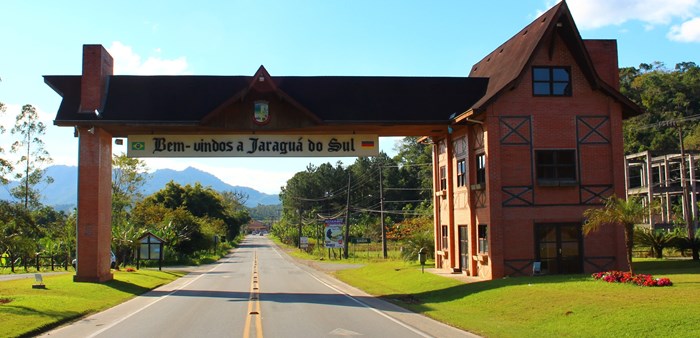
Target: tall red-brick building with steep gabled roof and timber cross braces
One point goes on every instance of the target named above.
(516, 170)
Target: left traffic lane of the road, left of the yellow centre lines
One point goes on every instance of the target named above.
(211, 302)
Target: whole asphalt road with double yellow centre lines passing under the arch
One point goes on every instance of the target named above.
(258, 291)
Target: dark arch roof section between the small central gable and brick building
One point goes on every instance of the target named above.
(383, 98)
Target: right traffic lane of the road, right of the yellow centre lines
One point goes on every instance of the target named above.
(295, 303)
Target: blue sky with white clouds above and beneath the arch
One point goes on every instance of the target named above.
(323, 37)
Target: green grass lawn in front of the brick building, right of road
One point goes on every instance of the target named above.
(544, 306)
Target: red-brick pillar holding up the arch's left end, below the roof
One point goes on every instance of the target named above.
(94, 205)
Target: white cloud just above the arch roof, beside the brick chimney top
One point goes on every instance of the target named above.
(128, 62)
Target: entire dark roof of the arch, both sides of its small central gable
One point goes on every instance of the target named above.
(188, 99)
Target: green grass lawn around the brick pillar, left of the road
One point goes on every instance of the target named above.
(25, 311)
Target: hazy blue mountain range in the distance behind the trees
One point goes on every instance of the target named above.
(62, 194)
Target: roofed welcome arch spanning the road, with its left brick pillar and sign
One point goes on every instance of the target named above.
(151, 111)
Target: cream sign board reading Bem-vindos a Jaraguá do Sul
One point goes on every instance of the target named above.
(252, 145)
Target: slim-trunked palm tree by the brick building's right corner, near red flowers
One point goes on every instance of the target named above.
(617, 212)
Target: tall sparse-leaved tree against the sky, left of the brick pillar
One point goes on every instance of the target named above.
(33, 156)
